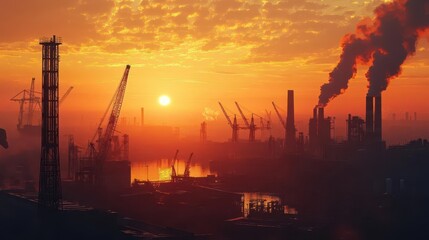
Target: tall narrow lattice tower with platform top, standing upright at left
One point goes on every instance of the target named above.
(50, 194)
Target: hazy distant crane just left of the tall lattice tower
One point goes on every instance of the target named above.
(27, 124)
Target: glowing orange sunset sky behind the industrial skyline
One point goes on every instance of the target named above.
(198, 52)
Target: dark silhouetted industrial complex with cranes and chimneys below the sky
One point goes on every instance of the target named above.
(319, 187)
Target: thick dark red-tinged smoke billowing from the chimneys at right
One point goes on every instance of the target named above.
(384, 42)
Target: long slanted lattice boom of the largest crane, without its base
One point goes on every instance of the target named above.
(105, 138)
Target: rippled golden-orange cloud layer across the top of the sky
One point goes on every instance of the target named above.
(273, 30)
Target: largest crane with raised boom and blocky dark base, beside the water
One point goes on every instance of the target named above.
(106, 161)
